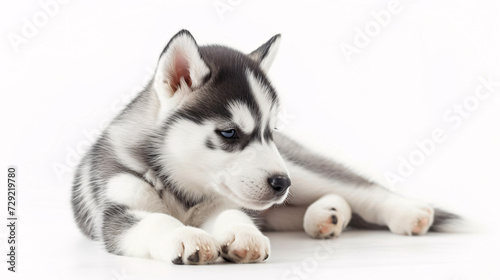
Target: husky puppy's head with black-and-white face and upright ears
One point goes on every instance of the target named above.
(218, 112)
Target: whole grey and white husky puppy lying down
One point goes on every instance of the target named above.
(186, 170)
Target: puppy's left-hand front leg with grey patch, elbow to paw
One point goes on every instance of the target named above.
(131, 228)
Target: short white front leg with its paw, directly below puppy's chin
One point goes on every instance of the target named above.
(240, 240)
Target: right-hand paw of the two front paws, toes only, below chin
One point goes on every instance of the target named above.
(244, 244)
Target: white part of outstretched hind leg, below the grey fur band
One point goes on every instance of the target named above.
(375, 206)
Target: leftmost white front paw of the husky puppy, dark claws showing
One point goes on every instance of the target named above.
(194, 246)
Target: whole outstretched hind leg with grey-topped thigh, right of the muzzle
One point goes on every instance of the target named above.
(314, 176)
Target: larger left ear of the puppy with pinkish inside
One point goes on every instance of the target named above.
(180, 67)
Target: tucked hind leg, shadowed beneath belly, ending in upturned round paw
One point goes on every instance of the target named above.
(325, 218)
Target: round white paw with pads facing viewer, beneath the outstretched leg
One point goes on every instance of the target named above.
(324, 222)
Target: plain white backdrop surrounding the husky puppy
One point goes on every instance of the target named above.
(80, 64)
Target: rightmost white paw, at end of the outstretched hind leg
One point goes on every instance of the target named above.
(411, 218)
